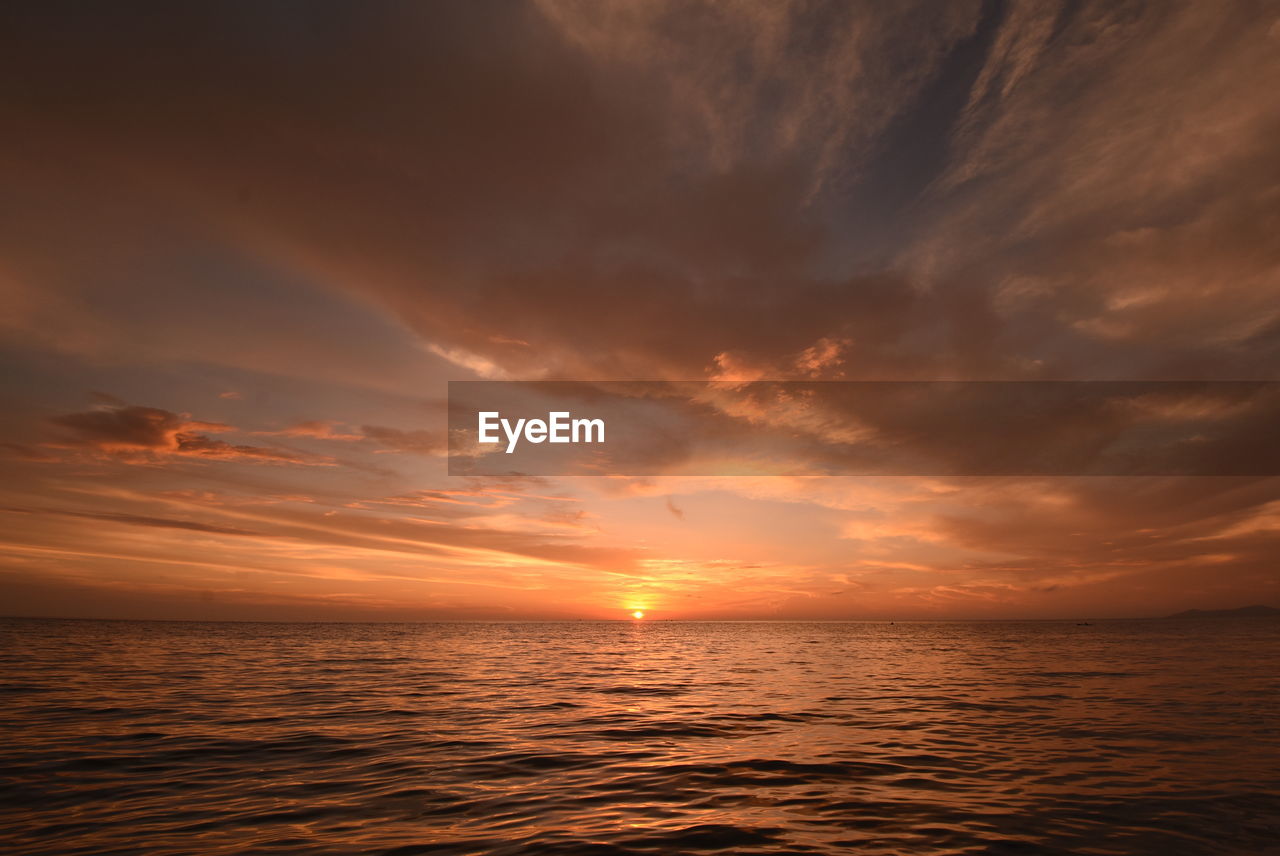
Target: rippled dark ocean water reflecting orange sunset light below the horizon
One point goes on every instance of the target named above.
(646, 738)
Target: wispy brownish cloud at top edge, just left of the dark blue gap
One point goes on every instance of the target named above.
(748, 81)
